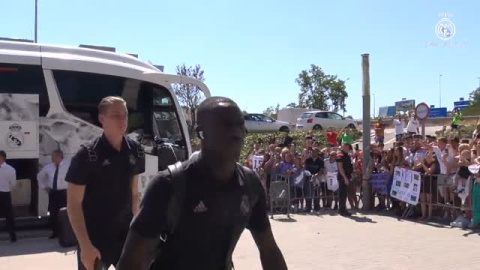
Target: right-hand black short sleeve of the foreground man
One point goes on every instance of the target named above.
(259, 221)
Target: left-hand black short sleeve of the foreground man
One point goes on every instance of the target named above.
(151, 220)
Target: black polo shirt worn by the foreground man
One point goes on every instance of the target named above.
(213, 218)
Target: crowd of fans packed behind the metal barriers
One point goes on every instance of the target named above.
(449, 190)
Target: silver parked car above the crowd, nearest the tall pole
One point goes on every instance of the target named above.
(318, 120)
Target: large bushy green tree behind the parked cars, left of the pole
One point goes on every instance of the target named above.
(321, 91)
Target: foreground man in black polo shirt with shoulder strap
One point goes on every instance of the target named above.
(221, 199)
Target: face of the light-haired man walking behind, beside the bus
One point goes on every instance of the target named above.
(115, 120)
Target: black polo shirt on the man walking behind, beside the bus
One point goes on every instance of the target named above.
(107, 177)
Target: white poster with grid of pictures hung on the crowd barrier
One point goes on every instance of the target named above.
(406, 185)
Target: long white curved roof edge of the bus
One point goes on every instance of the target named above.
(25, 49)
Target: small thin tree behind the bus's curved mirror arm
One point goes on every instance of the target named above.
(190, 96)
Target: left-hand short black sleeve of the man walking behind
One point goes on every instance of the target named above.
(79, 172)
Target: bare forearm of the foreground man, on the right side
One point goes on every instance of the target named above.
(270, 255)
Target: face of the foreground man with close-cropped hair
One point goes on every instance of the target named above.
(224, 132)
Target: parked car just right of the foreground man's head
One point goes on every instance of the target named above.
(262, 123)
